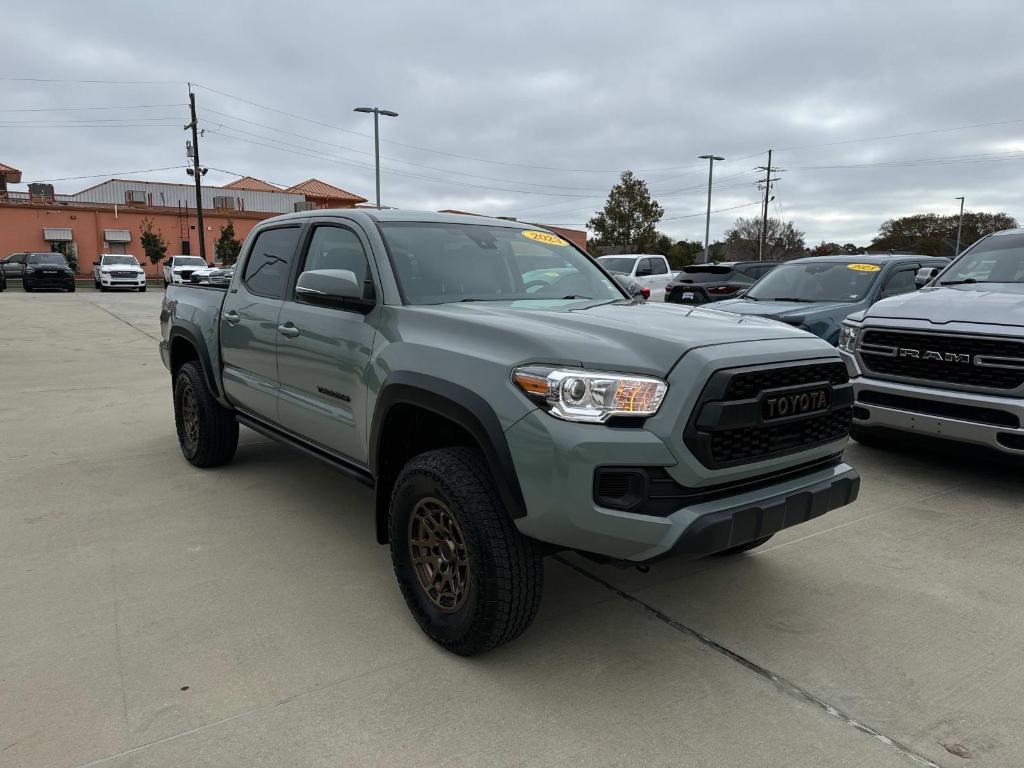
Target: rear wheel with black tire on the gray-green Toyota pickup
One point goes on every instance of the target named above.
(208, 433)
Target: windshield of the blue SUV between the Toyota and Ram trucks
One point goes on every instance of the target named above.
(822, 281)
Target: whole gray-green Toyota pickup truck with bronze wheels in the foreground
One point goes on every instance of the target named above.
(506, 400)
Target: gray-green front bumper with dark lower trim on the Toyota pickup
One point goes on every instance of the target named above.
(557, 461)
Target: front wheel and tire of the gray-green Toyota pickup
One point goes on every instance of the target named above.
(471, 579)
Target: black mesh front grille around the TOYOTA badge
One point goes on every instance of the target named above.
(729, 428)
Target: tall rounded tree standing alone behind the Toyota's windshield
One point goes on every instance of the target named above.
(630, 217)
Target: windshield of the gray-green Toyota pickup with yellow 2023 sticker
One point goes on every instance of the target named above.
(442, 264)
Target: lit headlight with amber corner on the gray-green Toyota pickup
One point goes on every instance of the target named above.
(591, 397)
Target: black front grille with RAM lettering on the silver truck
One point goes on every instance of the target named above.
(891, 363)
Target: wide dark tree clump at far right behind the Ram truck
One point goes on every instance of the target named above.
(934, 235)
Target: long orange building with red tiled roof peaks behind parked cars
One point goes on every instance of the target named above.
(110, 218)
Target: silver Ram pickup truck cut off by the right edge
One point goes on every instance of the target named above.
(948, 361)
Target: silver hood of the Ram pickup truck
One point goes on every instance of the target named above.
(969, 304)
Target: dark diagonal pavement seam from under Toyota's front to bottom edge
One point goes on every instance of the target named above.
(782, 684)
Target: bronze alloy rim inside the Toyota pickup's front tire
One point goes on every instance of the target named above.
(438, 549)
